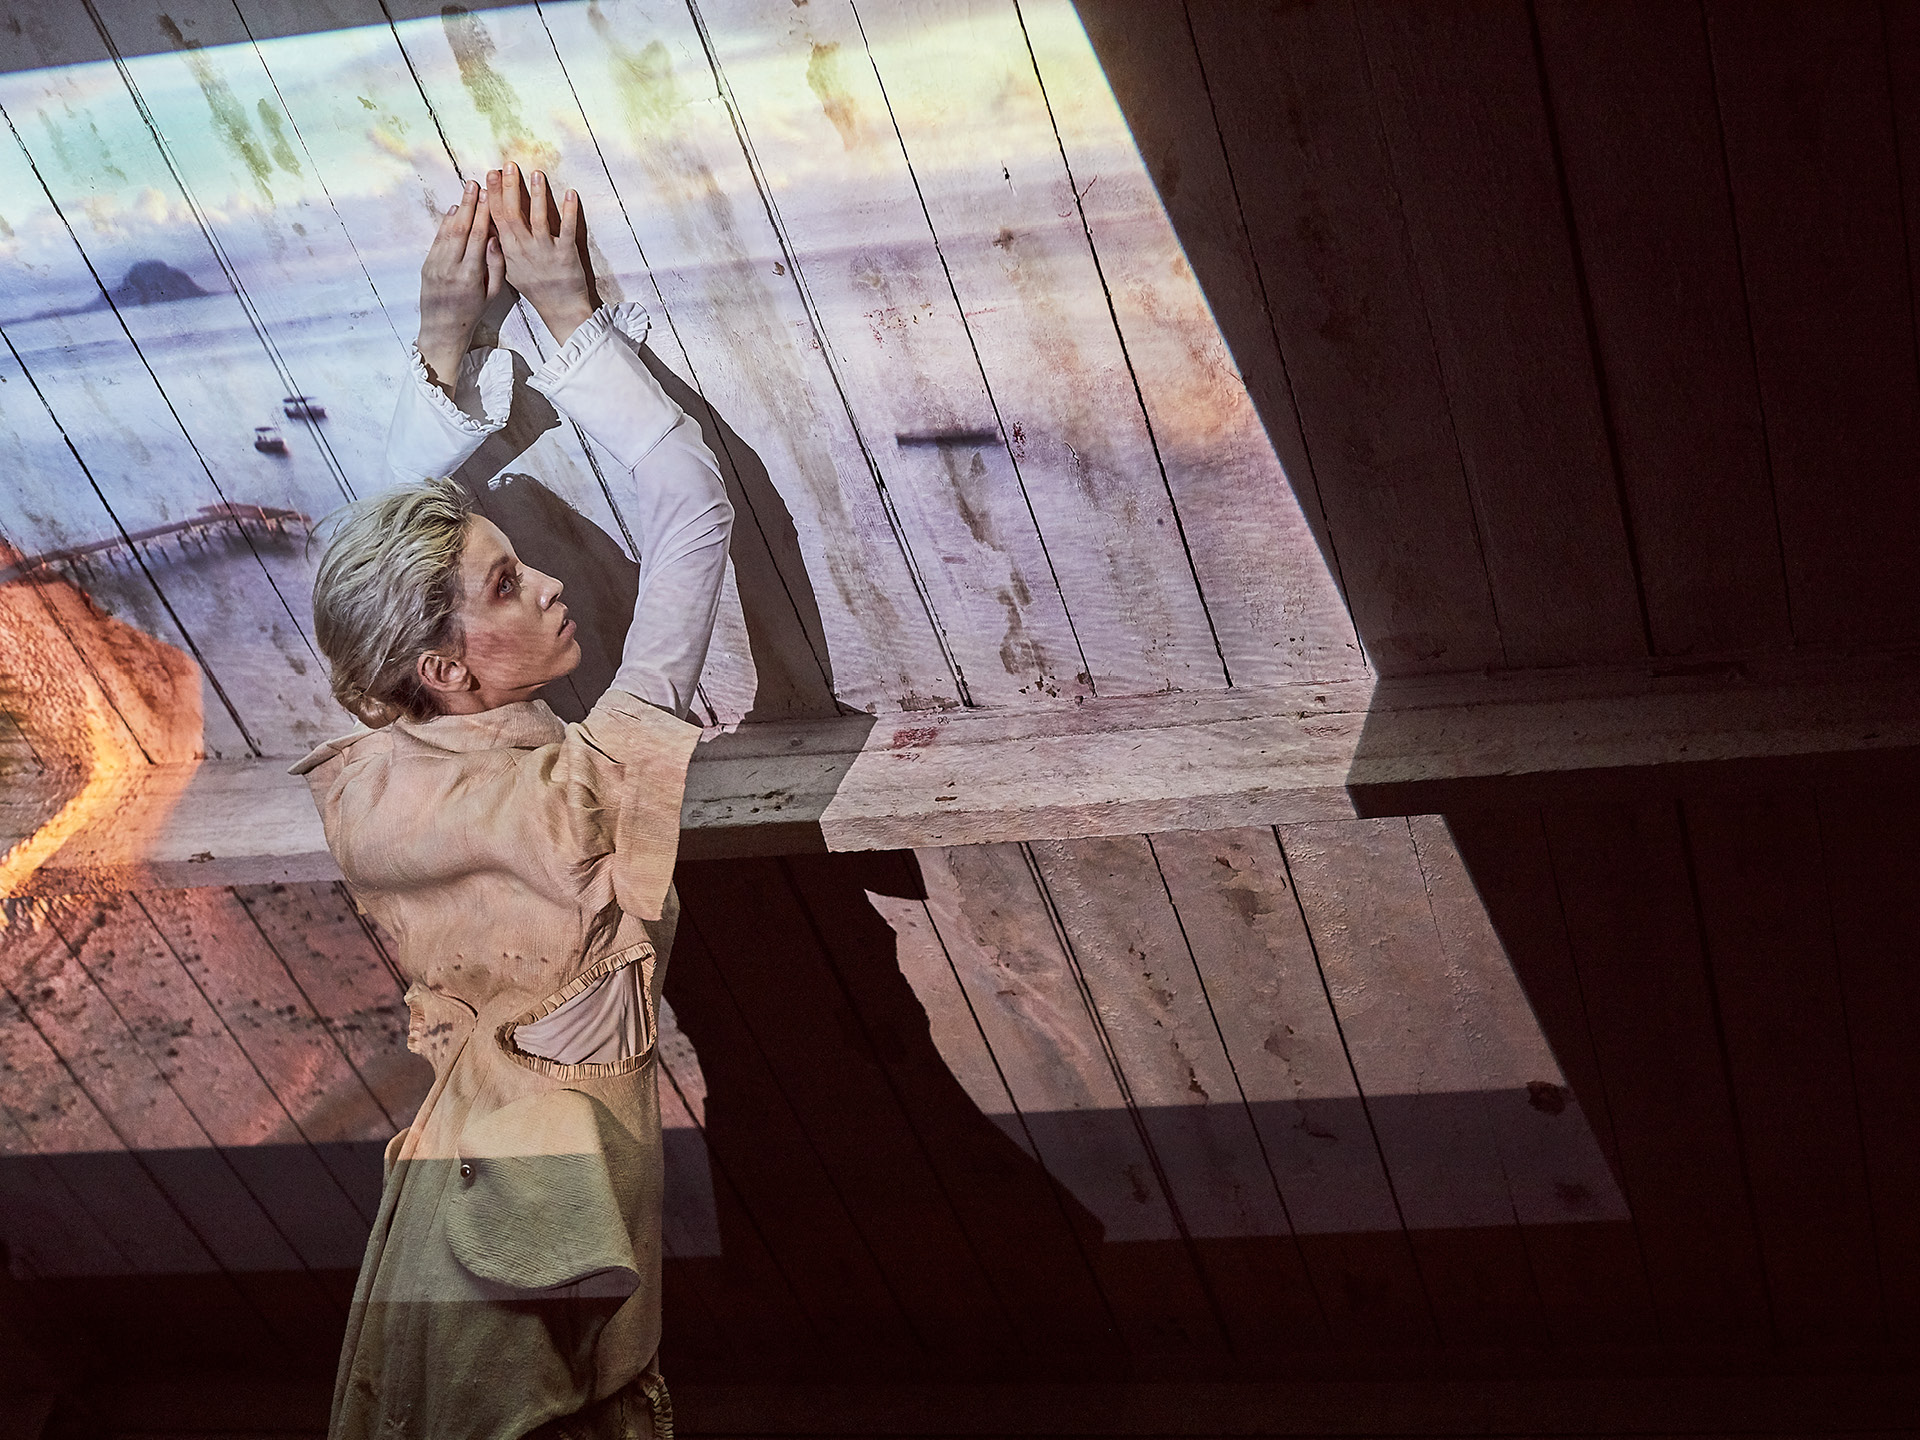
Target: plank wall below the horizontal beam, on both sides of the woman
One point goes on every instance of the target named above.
(1222, 1103)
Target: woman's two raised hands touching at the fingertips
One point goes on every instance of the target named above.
(500, 237)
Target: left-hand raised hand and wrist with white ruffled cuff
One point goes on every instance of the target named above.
(454, 398)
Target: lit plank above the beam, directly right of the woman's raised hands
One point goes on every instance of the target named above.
(734, 299)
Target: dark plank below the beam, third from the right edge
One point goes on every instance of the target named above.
(1631, 924)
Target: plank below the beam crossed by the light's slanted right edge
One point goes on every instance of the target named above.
(1491, 880)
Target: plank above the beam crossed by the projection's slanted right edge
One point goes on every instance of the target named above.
(1228, 381)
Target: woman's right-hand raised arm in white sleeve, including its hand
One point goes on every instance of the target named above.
(598, 379)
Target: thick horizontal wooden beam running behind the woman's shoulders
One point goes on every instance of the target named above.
(1128, 767)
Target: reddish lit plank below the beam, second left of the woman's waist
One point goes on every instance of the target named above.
(276, 1024)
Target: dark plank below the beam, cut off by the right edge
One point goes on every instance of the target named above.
(1871, 848)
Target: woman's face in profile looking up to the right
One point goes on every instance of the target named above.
(517, 633)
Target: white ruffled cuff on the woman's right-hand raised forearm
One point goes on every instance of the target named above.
(600, 381)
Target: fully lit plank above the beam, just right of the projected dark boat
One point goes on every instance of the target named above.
(971, 116)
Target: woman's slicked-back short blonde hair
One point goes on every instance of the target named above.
(389, 592)
